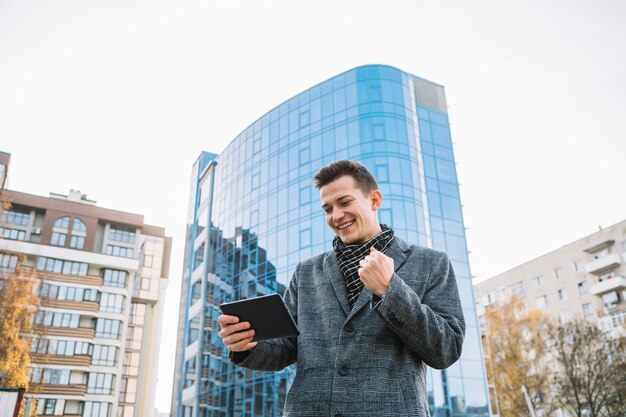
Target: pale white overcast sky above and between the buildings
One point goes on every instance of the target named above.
(118, 98)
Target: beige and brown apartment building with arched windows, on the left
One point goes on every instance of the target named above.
(101, 277)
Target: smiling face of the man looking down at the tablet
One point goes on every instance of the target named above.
(349, 212)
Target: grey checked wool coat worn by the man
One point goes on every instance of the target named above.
(369, 360)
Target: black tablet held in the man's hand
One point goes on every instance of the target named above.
(267, 314)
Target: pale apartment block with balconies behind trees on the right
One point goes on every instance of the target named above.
(582, 279)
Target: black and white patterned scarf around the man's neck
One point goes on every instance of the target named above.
(349, 256)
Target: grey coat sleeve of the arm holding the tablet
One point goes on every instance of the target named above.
(274, 354)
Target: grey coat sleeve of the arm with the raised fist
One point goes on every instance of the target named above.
(433, 326)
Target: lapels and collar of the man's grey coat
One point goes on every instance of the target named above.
(398, 250)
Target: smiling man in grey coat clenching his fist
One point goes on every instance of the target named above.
(372, 313)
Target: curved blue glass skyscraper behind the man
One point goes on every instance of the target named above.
(254, 214)
